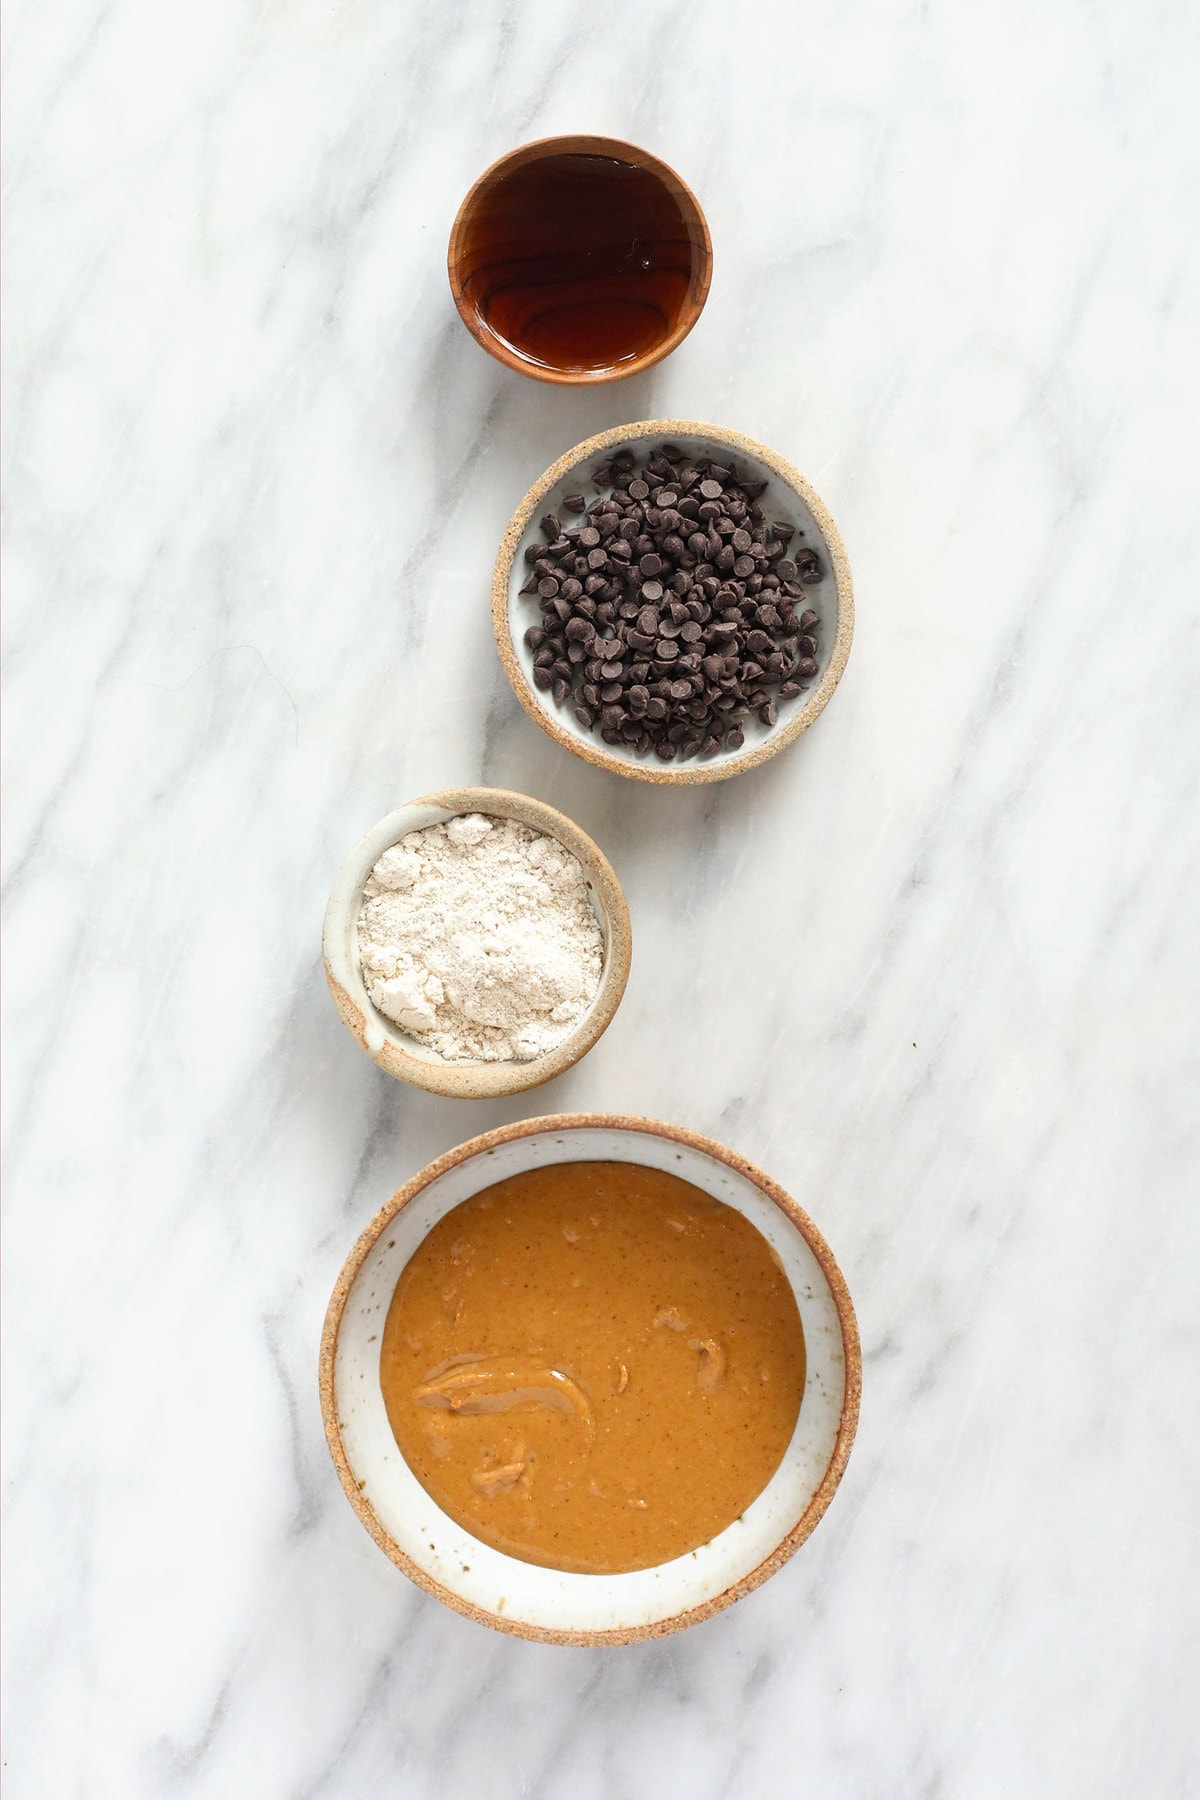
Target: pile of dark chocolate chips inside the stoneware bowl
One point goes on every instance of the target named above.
(703, 620)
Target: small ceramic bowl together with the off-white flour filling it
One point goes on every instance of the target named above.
(478, 942)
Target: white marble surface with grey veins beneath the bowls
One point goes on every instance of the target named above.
(936, 967)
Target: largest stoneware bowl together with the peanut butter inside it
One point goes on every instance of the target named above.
(589, 1378)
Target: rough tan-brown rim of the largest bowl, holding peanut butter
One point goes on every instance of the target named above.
(668, 1133)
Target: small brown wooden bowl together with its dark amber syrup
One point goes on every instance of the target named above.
(580, 260)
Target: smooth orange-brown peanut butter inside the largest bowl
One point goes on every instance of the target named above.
(595, 1367)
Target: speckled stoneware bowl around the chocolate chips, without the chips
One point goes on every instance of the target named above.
(789, 498)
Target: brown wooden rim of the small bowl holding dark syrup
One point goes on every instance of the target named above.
(573, 145)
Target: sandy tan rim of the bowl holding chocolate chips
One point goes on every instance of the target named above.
(724, 764)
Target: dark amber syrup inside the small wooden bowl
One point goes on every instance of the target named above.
(580, 264)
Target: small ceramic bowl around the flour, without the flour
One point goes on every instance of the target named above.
(393, 1048)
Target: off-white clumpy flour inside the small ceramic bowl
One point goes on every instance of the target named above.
(478, 939)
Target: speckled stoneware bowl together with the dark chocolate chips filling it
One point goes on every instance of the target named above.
(674, 602)
